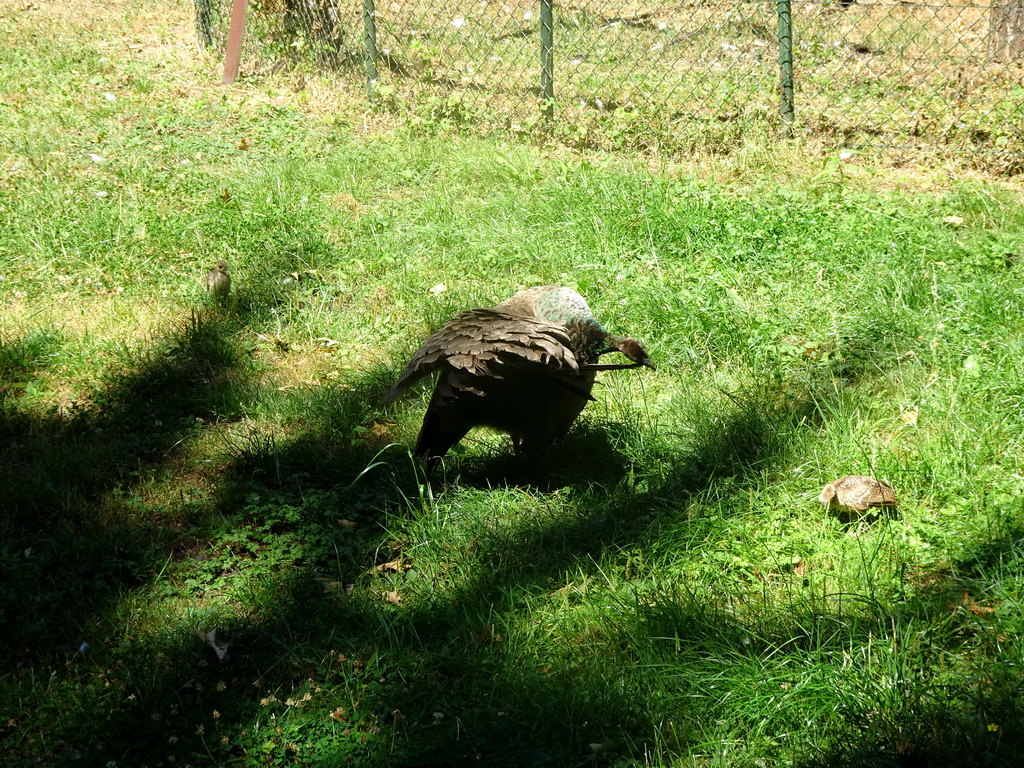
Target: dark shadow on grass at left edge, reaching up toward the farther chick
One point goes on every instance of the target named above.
(71, 538)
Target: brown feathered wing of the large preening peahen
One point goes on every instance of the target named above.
(490, 343)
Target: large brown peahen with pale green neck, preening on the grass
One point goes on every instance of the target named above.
(526, 367)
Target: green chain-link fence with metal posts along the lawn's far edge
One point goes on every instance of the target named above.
(895, 74)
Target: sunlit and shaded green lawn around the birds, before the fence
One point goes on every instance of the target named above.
(667, 592)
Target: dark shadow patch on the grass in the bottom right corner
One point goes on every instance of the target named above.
(970, 715)
